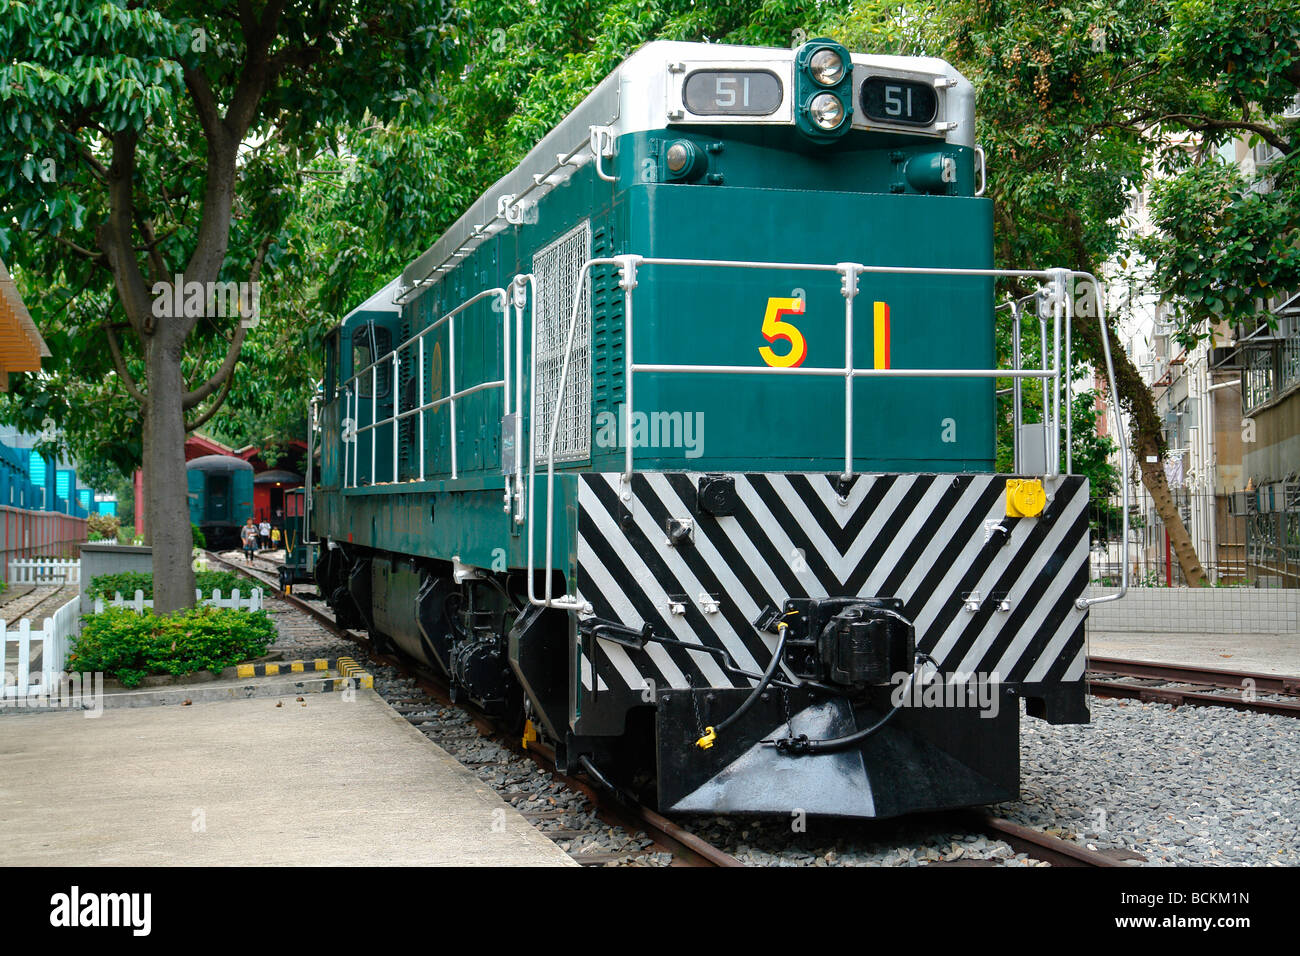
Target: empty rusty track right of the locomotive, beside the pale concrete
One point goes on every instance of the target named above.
(1180, 685)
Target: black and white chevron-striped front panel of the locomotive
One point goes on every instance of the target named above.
(924, 539)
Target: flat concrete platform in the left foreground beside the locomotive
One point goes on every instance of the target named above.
(339, 780)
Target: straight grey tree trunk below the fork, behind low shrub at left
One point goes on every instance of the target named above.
(167, 495)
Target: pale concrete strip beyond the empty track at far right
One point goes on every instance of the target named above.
(1260, 654)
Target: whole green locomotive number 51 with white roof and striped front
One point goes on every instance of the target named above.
(678, 449)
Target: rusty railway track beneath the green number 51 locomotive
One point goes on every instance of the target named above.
(669, 837)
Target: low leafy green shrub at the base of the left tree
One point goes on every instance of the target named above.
(128, 646)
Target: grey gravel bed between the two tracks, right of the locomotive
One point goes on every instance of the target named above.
(1203, 786)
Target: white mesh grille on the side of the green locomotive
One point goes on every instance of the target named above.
(557, 269)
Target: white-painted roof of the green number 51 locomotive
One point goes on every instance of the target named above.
(635, 98)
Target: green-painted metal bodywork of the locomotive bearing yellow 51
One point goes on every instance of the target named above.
(769, 196)
